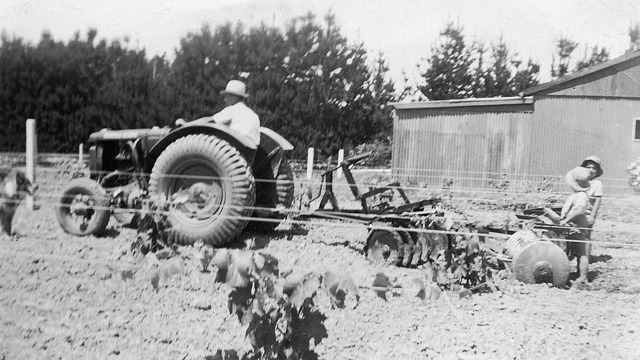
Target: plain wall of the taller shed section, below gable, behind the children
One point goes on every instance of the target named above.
(566, 130)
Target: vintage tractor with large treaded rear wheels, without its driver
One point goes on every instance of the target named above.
(214, 183)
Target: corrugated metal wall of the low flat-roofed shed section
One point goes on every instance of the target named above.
(432, 146)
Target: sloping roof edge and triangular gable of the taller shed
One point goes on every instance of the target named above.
(627, 64)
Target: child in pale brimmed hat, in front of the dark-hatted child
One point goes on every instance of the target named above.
(574, 213)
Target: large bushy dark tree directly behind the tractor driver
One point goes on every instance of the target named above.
(308, 83)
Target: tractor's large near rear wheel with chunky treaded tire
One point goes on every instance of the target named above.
(219, 185)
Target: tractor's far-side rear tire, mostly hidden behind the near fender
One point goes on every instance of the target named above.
(272, 194)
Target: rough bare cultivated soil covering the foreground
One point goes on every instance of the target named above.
(66, 297)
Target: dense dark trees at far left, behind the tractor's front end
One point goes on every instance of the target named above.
(74, 89)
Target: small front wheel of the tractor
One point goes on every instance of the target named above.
(83, 208)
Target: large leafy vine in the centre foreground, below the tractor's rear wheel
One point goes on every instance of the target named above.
(278, 309)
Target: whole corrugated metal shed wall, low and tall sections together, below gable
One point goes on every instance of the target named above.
(515, 148)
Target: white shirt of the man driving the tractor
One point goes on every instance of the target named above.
(242, 119)
